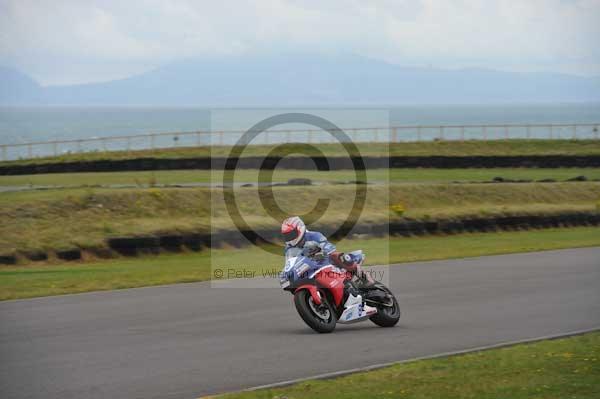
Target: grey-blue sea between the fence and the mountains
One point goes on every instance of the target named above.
(20, 125)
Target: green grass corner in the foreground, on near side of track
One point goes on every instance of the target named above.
(550, 369)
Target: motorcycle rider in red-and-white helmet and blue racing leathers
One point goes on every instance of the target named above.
(298, 238)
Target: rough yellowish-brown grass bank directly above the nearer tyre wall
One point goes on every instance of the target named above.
(59, 219)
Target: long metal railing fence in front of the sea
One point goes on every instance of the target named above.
(394, 134)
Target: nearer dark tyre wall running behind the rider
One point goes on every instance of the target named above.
(134, 246)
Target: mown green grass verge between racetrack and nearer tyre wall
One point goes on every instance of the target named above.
(43, 280)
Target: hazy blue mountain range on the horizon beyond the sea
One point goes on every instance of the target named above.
(304, 80)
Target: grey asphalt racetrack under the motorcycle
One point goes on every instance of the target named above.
(188, 340)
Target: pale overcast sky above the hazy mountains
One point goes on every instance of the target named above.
(61, 41)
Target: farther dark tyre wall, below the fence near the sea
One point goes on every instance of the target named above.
(307, 163)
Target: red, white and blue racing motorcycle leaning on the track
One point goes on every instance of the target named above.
(325, 295)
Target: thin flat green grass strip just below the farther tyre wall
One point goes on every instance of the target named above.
(149, 178)
